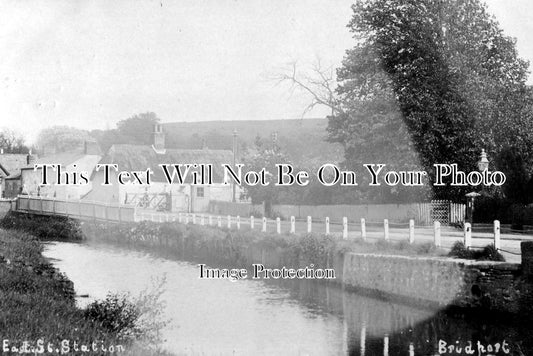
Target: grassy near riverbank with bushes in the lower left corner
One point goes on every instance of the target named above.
(38, 309)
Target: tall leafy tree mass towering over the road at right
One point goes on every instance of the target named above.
(438, 77)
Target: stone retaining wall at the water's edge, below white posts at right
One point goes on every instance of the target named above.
(437, 281)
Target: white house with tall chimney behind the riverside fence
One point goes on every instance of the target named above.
(159, 194)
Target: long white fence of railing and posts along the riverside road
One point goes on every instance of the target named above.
(121, 213)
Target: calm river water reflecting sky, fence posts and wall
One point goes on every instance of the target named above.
(247, 317)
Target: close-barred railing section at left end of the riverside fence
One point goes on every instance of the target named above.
(79, 209)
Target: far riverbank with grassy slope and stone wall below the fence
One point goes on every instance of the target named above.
(418, 274)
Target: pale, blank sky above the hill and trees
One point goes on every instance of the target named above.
(89, 64)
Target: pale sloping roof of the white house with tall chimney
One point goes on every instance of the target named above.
(141, 157)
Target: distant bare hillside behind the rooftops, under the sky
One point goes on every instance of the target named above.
(304, 140)
